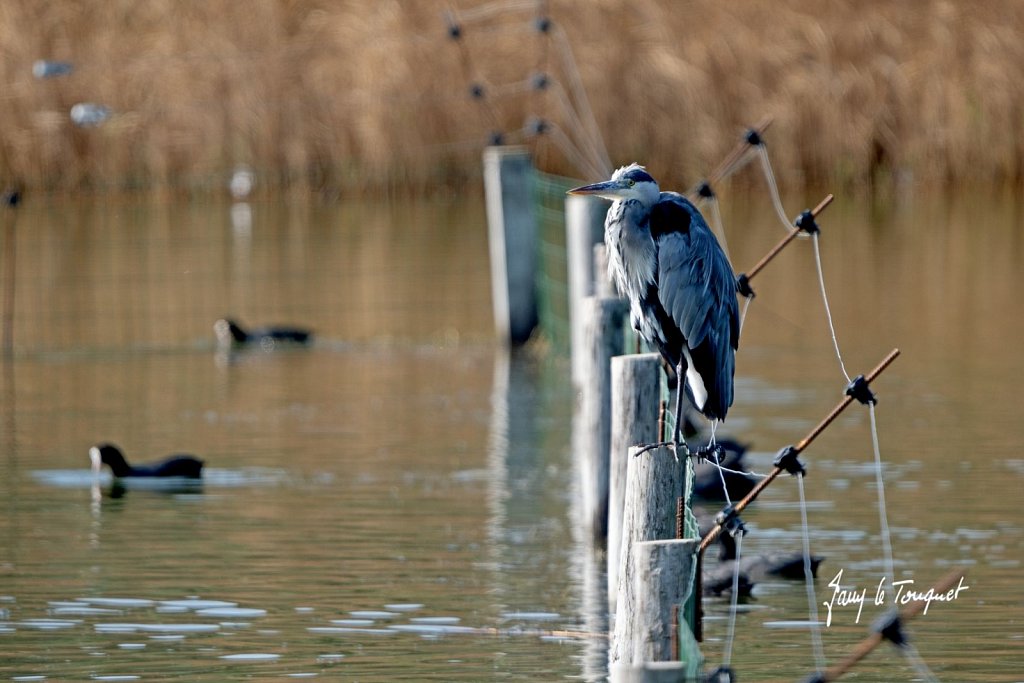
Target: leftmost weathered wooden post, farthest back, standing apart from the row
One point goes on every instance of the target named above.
(508, 184)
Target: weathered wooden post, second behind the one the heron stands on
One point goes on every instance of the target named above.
(604, 320)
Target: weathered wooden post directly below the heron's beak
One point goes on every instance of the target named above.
(584, 229)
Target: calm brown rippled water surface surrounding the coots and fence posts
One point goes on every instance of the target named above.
(396, 503)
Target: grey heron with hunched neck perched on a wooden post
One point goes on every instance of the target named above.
(680, 286)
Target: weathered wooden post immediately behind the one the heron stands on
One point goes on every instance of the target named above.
(635, 397)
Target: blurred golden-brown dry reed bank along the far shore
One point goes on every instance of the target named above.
(329, 96)
